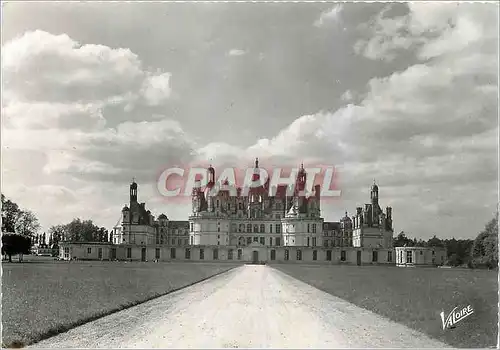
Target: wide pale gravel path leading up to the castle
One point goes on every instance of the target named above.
(247, 307)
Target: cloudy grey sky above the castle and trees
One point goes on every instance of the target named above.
(96, 94)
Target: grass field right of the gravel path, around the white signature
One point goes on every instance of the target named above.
(415, 297)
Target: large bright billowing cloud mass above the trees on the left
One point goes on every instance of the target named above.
(63, 112)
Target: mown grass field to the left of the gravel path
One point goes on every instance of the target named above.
(43, 297)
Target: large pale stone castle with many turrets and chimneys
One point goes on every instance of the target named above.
(258, 225)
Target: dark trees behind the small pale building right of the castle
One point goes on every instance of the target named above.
(481, 252)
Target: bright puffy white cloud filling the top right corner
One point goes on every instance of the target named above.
(432, 29)
